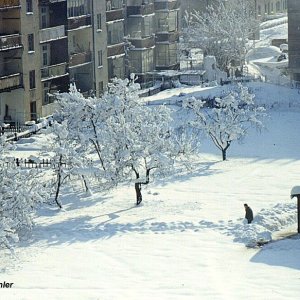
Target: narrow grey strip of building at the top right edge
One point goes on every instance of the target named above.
(294, 39)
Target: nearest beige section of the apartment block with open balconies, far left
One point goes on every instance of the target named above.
(45, 45)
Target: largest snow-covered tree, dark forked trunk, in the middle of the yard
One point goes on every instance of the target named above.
(130, 139)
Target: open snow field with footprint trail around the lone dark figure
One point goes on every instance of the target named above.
(187, 240)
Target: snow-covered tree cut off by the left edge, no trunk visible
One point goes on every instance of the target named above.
(21, 192)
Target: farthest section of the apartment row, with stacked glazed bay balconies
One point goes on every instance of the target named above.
(153, 36)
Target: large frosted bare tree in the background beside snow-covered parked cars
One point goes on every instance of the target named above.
(223, 30)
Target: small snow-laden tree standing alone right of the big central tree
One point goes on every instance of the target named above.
(229, 119)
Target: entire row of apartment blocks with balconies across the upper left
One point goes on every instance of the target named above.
(47, 44)
